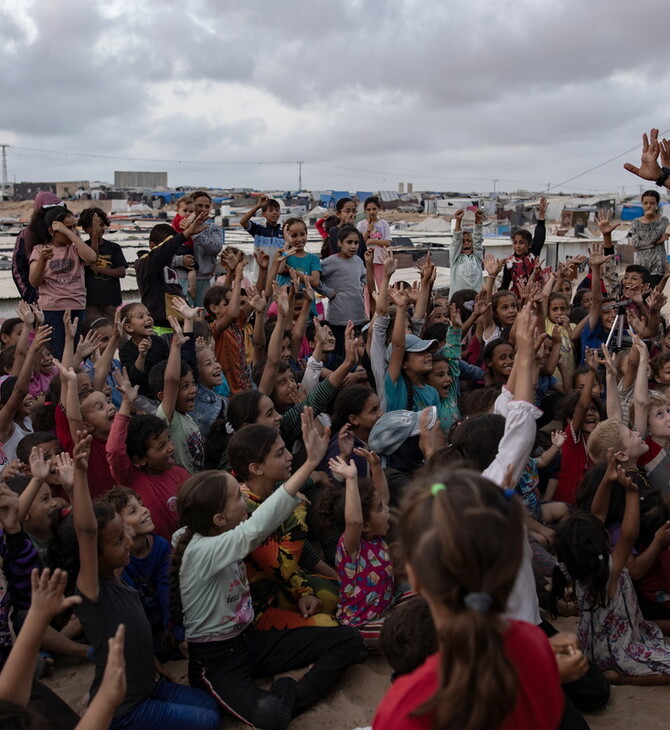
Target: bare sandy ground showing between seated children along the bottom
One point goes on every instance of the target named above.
(351, 703)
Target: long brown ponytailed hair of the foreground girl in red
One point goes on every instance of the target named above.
(465, 538)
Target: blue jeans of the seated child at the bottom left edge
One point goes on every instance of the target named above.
(173, 707)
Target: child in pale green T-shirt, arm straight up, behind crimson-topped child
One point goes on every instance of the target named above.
(175, 388)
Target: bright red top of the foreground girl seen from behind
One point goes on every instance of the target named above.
(539, 701)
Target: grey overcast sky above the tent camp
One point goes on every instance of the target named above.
(445, 94)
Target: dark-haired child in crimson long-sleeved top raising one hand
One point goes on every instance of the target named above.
(140, 453)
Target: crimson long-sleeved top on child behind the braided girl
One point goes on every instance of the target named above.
(158, 491)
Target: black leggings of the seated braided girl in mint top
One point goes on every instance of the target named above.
(226, 669)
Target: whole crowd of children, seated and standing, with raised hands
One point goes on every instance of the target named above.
(272, 486)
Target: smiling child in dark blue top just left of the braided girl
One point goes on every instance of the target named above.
(148, 571)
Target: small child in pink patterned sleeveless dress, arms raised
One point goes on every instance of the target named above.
(362, 559)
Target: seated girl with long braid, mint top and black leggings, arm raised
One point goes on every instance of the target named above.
(225, 651)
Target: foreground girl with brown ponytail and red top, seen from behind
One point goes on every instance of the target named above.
(462, 539)
